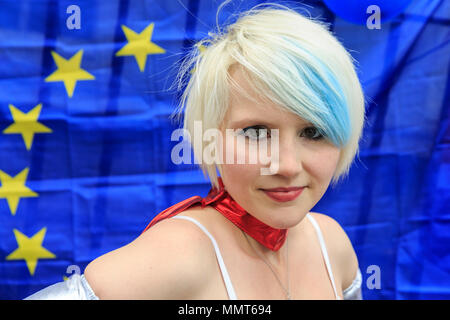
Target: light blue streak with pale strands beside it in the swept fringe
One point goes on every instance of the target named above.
(312, 91)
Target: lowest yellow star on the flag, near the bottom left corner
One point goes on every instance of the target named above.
(30, 249)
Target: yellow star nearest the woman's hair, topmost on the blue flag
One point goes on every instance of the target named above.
(139, 45)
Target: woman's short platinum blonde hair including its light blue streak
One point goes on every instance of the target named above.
(312, 76)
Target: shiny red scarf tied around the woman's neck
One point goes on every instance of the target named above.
(221, 201)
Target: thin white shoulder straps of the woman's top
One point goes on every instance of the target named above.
(353, 292)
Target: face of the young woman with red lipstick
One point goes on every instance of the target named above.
(304, 159)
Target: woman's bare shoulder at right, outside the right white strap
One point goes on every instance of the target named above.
(339, 247)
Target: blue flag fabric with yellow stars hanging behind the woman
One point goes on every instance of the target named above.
(85, 148)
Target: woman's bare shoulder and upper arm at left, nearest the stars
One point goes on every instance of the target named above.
(171, 260)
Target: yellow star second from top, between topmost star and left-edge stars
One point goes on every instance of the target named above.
(69, 71)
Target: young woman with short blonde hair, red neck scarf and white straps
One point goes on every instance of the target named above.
(273, 77)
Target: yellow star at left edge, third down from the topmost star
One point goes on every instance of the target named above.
(26, 124)
